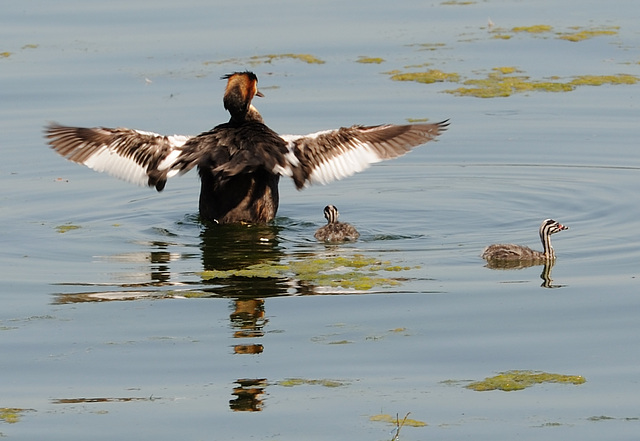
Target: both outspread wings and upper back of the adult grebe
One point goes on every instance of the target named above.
(147, 158)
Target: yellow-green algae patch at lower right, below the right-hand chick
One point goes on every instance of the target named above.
(518, 380)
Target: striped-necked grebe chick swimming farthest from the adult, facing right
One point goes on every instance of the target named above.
(511, 252)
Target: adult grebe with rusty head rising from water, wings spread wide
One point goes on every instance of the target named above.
(240, 162)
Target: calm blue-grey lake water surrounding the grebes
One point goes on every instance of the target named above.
(109, 329)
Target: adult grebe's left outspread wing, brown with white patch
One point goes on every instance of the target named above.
(142, 158)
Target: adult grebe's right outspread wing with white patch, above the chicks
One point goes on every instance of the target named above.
(322, 157)
